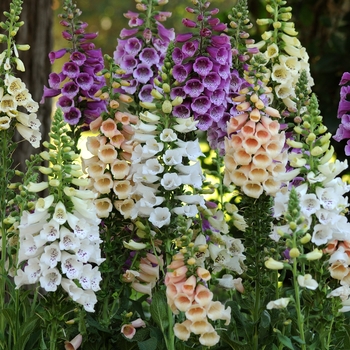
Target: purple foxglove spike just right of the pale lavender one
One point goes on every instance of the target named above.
(202, 65)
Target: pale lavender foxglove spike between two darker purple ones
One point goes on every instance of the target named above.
(141, 55)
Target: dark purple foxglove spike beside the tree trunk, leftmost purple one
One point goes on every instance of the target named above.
(78, 81)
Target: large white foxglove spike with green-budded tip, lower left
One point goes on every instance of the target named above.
(59, 240)
